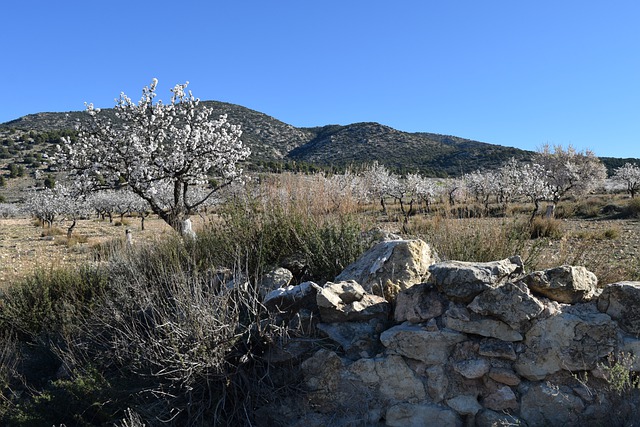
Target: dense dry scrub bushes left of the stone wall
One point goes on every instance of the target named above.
(175, 330)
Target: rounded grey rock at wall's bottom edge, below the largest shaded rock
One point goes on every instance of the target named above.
(544, 404)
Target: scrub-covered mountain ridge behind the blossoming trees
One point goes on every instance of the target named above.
(275, 142)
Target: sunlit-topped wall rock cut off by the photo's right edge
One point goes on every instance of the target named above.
(621, 301)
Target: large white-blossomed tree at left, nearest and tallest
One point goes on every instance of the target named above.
(151, 146)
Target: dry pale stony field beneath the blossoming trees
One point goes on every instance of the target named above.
(608, 247)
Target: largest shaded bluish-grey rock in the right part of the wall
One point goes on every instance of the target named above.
(574, 340)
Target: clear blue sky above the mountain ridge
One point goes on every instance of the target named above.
(507, 72)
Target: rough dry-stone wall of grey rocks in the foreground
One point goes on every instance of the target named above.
(402, 339)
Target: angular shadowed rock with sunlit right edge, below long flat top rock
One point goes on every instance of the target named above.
(512, 303)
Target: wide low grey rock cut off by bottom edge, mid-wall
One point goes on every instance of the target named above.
(419, 415)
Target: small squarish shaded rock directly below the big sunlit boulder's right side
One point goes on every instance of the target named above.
(418, 304)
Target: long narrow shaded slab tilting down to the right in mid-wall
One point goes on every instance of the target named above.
(471, 323)
